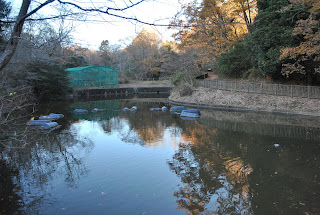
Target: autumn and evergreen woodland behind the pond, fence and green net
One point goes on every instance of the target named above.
(237, 39)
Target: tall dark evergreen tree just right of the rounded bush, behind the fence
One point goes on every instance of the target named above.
(272, 31)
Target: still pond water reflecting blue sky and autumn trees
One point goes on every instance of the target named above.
(152, 162)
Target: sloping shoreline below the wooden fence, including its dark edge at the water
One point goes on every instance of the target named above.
(246, 102)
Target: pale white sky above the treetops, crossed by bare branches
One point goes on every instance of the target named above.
(114, 29)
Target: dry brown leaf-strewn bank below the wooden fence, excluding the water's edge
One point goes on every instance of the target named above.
(266, 102)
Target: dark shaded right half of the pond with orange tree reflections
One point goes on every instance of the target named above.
(226, 169)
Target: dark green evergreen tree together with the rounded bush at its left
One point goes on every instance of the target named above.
(259, 52)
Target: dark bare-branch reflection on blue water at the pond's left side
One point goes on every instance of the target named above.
(27, 167)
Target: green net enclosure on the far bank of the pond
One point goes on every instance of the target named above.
(93, 77)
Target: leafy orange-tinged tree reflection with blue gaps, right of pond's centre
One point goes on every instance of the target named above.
(213, 180)
